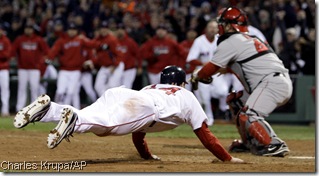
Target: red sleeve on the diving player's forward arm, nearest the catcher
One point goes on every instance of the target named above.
(210, 141)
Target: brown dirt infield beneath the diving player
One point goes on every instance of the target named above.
(24, 150)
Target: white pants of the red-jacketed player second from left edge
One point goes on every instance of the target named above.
(24, 77)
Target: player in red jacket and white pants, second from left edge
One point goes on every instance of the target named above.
(30, 50)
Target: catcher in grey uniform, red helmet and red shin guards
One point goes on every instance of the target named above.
(263, 75)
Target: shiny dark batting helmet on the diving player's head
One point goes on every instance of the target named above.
(173, 75)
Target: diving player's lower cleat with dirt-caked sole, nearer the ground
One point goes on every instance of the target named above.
(64, 129)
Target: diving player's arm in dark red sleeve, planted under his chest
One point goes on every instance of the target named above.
(141, 146)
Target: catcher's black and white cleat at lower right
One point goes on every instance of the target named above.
(278, 150)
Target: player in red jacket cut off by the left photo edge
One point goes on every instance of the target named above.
(5, 53)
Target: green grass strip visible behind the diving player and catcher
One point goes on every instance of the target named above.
(223, 131)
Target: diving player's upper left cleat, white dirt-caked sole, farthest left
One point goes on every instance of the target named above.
(33, 112)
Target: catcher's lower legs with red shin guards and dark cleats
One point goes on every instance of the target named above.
(257, 136)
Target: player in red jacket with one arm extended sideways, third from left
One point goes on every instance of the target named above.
(69, 51)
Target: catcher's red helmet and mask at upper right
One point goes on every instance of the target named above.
(234, 16)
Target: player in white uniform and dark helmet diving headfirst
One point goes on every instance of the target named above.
(121, 111)
